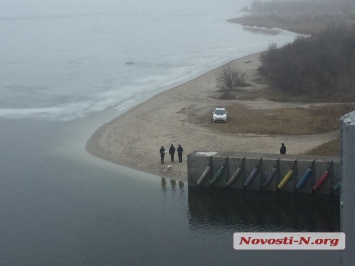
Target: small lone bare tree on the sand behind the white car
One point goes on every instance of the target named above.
(229, 79)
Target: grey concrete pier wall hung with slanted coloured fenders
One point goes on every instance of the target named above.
(277, 173)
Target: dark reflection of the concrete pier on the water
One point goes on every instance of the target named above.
(255, 212)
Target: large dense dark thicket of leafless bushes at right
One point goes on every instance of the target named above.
(320, 67)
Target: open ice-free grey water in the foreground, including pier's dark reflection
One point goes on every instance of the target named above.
(68, 208)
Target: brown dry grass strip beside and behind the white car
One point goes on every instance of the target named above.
(283, 121)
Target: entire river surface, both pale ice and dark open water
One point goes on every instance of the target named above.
(63, 74)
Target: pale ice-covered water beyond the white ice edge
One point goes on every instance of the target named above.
(63, 60)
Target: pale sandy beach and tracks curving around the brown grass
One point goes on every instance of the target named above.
(134, 138)
